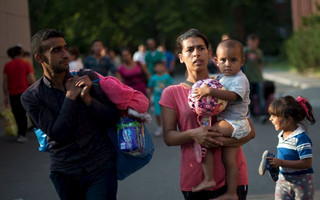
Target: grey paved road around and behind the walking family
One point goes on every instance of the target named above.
(24, 171)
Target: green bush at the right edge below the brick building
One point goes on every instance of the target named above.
(302, 48)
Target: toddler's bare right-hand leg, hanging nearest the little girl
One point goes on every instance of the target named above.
(229, 159)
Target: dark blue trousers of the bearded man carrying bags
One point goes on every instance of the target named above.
(100, 185)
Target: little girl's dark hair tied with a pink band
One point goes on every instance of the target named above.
(288, 106)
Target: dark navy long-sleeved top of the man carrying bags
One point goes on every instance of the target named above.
(77, 133)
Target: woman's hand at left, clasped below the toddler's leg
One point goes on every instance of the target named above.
(206, 137)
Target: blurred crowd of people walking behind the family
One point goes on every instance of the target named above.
(149, 68)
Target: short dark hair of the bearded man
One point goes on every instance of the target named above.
(42, 35)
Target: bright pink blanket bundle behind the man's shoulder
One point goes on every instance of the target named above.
(122, 95)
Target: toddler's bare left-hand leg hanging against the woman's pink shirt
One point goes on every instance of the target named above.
(207, 167)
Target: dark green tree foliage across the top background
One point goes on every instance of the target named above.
(121, 23)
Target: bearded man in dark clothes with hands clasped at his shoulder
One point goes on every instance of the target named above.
(76, 116)
